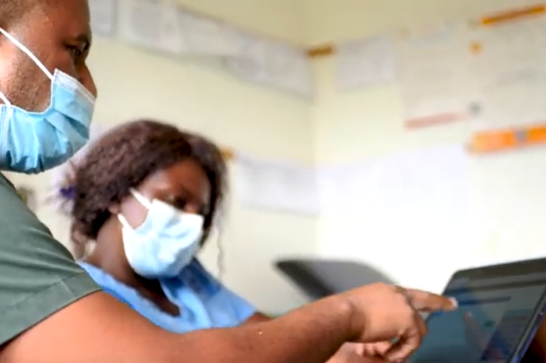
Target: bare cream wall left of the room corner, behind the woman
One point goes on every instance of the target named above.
(134, 84)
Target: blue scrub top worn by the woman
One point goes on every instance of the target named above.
(203, 301)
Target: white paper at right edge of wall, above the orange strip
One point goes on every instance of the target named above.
(508, 71)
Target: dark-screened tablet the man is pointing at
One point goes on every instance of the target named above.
(500, 309)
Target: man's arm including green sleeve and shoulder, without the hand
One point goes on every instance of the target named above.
(51, 311)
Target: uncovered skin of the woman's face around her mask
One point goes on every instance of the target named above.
(184, 186)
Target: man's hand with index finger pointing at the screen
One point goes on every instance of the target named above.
(383, 313)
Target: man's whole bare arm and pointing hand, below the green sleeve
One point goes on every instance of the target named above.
(97, 328)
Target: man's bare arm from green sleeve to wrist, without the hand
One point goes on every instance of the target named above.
(97, 328)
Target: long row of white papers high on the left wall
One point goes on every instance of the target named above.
(166, 27)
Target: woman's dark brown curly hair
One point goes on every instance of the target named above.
(124, 157)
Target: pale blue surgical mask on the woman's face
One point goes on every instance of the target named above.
(164, 243)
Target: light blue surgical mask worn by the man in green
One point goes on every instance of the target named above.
(32, 142)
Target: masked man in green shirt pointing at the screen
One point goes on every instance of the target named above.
(53, 312)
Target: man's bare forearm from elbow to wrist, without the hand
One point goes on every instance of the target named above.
(308, 335)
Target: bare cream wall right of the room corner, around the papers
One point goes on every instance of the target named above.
(508, 197)
